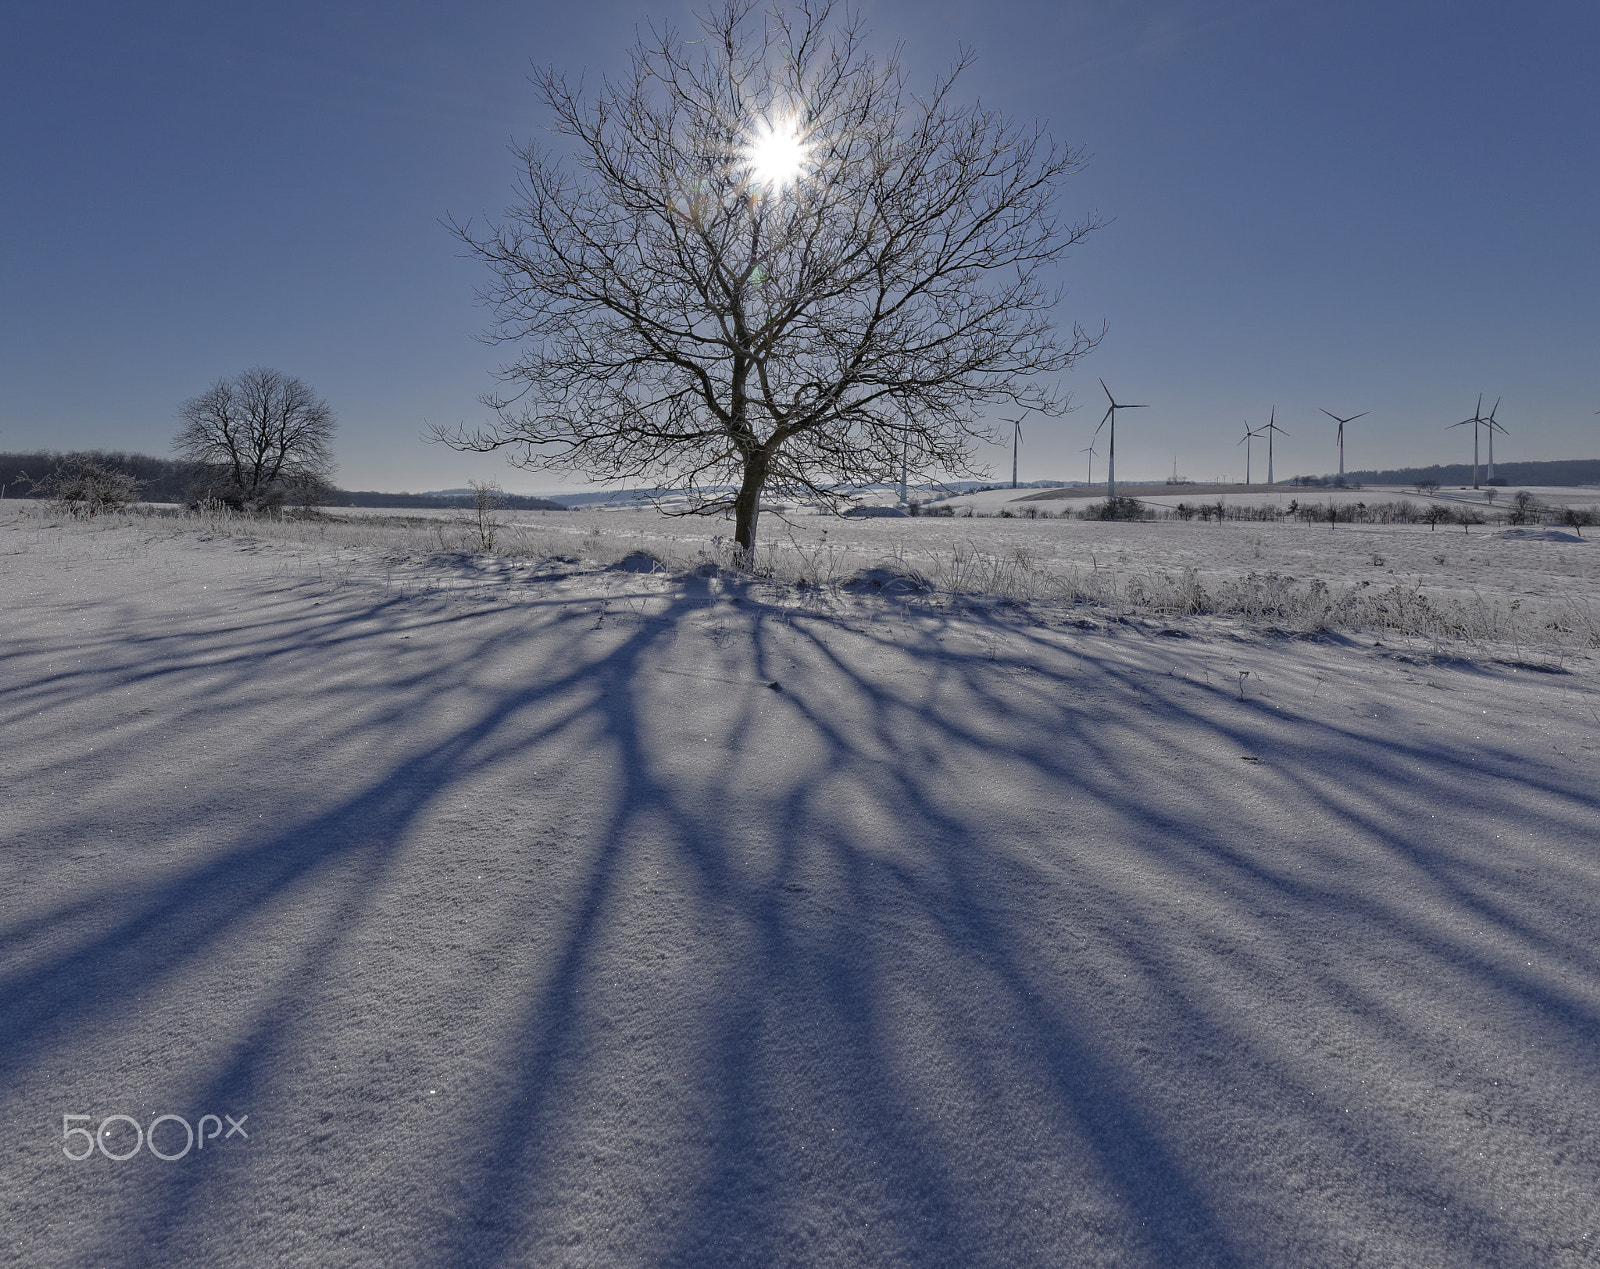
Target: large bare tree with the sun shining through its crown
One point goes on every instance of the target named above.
(767, 265)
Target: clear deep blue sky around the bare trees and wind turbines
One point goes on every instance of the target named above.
(1377, 206)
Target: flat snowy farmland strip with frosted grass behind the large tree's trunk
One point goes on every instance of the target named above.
(1537, 591)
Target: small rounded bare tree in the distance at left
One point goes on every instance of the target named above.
(260, 438)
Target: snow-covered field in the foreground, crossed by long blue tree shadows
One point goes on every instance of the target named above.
(1090, 899)
